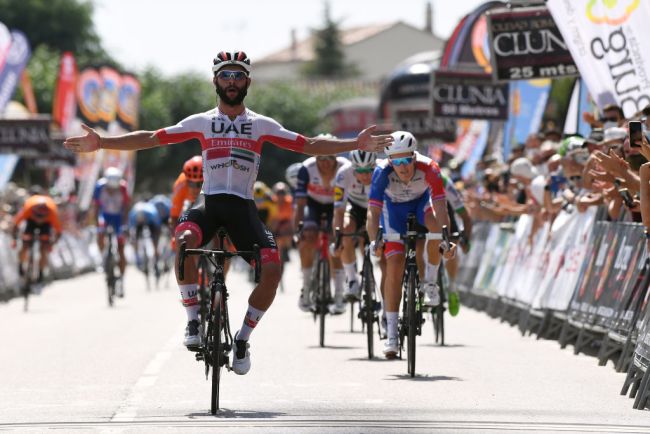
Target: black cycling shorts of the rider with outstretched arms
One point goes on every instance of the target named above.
(237, 215)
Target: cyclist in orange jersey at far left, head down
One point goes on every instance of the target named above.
(40, 214)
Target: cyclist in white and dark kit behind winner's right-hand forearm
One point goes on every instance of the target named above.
(314, 196)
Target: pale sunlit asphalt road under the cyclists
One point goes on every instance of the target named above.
(74, 364)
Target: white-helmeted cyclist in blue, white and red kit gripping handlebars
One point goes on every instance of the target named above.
(407, 182)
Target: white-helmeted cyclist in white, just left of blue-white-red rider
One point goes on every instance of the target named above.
(350, 211)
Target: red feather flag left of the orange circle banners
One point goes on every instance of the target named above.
(64, 104)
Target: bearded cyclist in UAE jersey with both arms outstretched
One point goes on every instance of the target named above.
(231, 138)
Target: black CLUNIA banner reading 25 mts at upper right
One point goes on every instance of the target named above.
(525, 43)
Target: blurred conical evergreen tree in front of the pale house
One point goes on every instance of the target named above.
(329, 58)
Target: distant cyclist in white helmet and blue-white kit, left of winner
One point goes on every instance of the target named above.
(111, 205)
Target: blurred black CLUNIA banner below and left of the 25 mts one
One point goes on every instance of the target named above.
(468, 95)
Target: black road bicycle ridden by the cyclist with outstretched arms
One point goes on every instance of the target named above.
(217, 335)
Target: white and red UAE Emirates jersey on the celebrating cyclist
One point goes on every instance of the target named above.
(231, 149)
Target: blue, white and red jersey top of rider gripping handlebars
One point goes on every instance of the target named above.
(386, 185)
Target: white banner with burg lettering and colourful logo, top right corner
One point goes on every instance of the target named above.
(607, 41)
